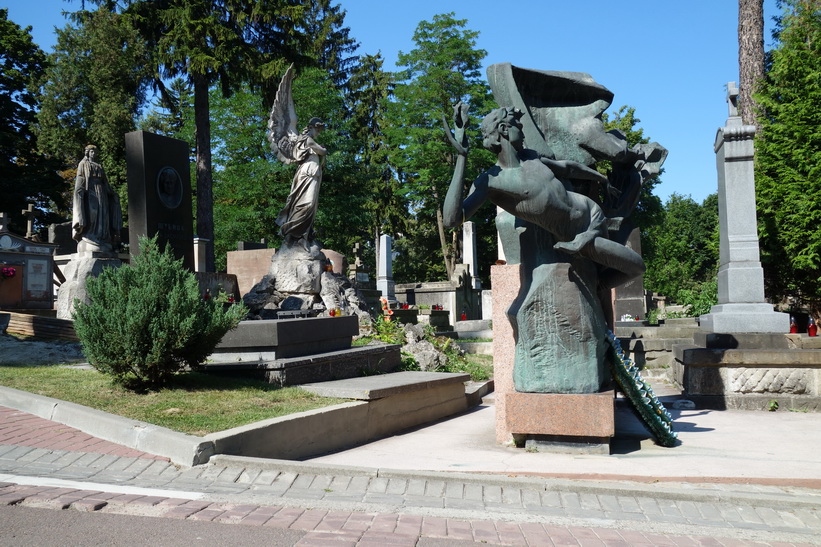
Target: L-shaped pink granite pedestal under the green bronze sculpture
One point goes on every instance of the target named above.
(575, 423)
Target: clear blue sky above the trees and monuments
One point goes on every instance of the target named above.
(669, 60)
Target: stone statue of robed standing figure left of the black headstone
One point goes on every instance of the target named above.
(97, 216)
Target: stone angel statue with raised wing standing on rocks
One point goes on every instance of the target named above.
(297, 217)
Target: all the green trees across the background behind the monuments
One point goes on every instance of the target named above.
(389, 159)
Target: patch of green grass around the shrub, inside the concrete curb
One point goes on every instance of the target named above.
(195, 403)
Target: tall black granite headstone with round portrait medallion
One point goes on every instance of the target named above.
(159, 193)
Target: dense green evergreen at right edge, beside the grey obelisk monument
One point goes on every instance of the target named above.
(788, 157)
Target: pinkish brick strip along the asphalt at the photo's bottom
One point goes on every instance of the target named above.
(355, 528)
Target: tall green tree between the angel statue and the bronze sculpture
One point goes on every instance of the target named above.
(443, 68)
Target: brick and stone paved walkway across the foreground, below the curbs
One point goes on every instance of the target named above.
(43, 464)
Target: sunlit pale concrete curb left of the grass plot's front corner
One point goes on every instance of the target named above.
(180, 448)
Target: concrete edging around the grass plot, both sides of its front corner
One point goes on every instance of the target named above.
(299, 435)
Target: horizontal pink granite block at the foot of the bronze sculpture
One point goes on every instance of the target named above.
(568, 416)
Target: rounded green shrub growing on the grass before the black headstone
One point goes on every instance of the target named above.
(146, 321)
